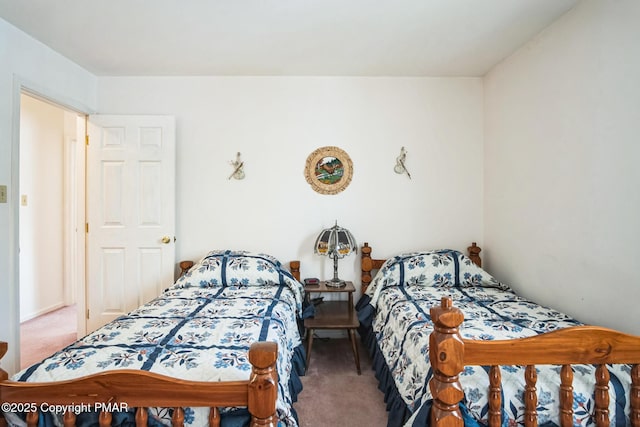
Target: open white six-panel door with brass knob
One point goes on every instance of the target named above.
(130, 213)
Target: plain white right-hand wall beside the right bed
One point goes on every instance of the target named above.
(562, 202)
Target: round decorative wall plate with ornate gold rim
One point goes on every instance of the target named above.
(328, 170)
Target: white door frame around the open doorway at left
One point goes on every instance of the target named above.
(20, 86)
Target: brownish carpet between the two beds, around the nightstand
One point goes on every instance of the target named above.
(334, 394)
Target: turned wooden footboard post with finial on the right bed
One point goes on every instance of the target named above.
(446, 353)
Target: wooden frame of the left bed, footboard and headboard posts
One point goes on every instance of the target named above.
(127, 388)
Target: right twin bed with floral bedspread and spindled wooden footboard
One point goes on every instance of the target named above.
(436, 370)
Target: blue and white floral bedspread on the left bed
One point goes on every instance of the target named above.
(200, 329)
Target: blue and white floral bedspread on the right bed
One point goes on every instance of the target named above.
(395, 325)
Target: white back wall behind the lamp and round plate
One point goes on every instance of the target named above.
(276, 122)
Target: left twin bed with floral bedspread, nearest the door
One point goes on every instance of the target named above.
(219, 347)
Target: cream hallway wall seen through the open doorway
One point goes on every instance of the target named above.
(41, 219)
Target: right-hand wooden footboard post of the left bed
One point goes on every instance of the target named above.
(263, 384)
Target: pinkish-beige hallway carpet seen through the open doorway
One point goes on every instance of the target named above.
(44, 335)
